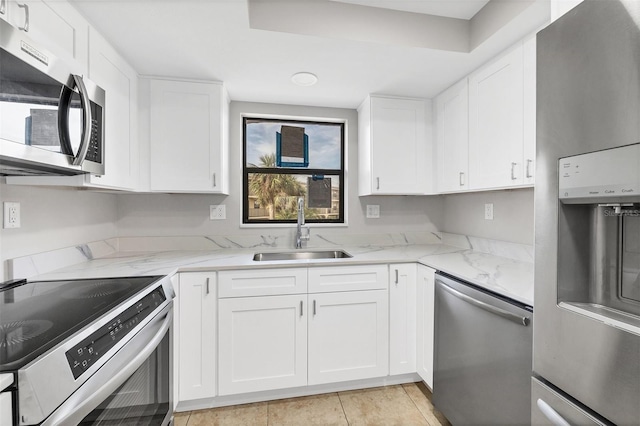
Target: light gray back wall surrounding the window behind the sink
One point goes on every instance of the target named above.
(188, 214)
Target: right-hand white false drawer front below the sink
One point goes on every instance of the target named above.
(348, 278)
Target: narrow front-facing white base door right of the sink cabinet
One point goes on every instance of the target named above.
(402, 318)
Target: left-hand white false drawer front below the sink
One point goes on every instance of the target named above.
(262, 282)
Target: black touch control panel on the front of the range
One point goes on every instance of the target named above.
(87, 352)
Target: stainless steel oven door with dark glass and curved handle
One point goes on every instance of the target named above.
(133, 388)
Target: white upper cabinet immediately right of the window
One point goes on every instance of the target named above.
(394, 146)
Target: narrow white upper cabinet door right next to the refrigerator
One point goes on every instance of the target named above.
(529, 143)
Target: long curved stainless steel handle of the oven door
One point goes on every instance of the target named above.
(114, 373)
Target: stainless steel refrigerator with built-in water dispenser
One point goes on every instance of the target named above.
(587, 217)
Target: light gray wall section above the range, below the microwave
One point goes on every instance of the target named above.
(55, 218)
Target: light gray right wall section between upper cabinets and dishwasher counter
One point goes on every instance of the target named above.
(512, 210)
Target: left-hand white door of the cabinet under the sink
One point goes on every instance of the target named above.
(263, 343)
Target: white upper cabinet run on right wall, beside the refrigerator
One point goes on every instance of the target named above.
(485, 125)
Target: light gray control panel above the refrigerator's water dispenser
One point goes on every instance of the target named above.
(601, 176)
